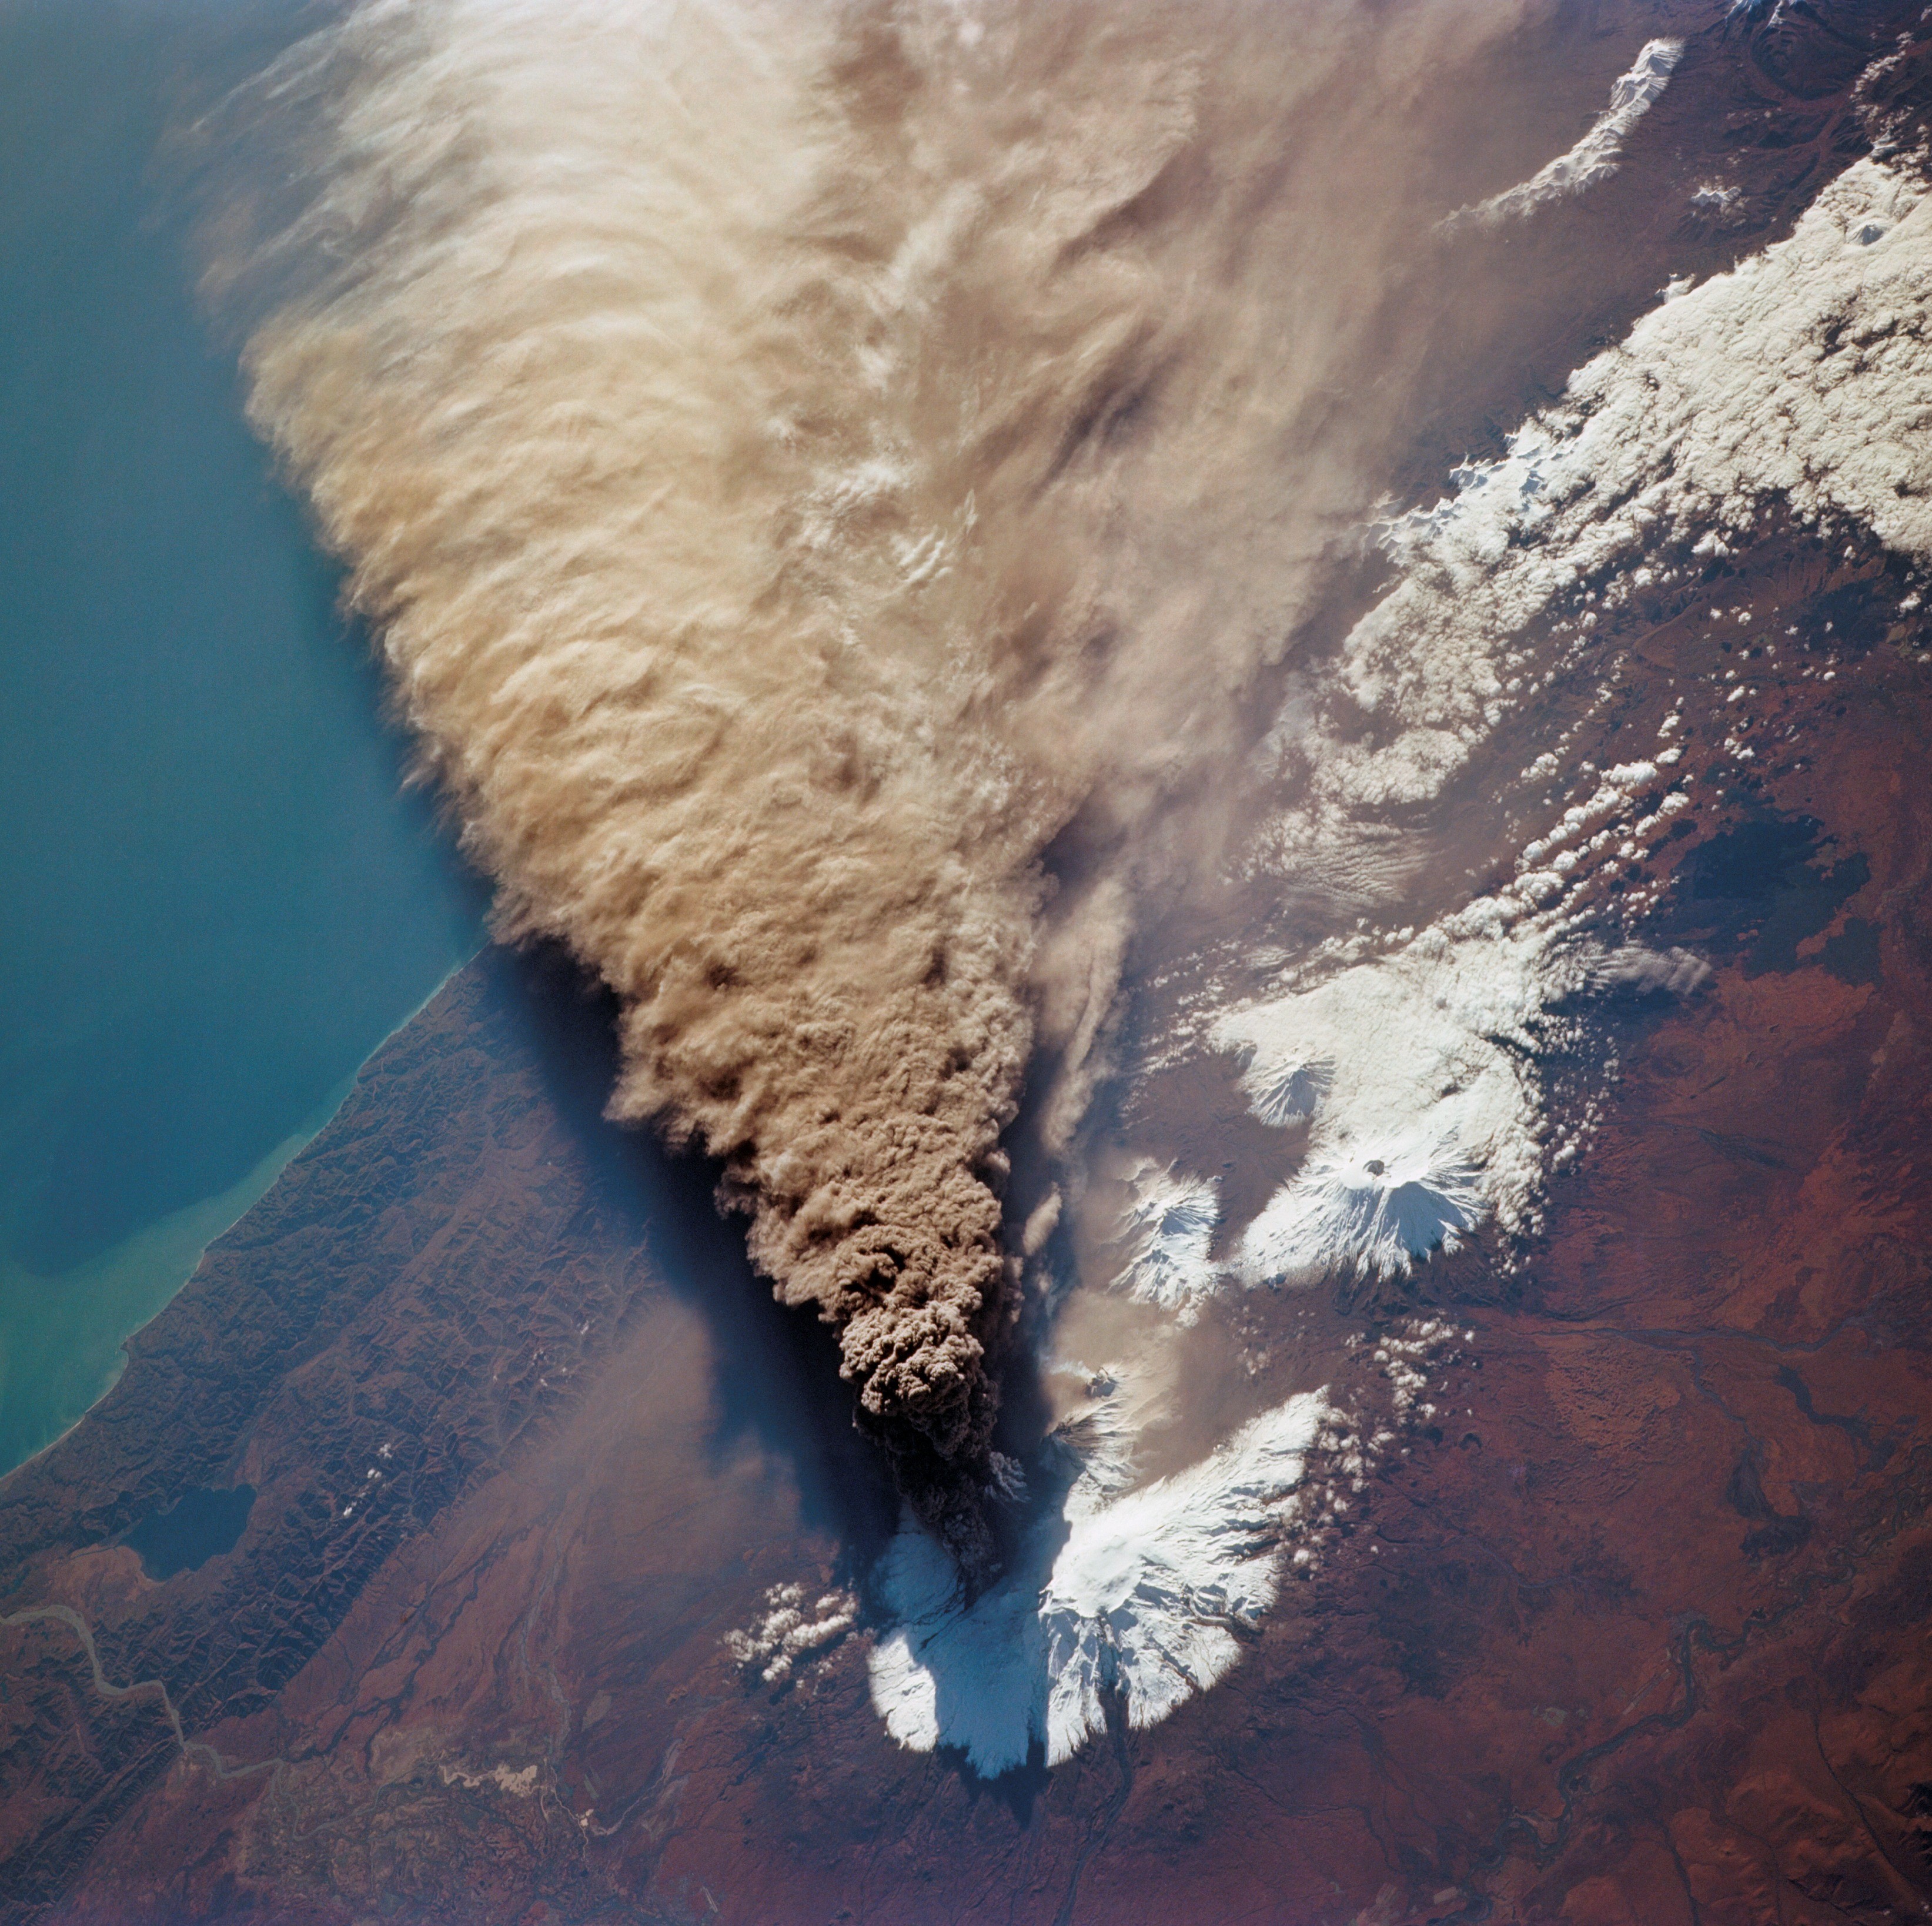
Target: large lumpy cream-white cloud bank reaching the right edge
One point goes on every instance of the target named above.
(1800, 383)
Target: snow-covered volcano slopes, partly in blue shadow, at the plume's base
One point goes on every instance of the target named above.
(1131, 1593)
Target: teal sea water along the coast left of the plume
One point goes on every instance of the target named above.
(217, 893)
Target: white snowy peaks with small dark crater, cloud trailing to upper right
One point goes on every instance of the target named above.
(1423, 1056)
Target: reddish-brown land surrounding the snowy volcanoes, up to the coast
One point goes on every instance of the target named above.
(1635, 1631)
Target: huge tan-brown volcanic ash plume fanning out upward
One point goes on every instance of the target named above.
(801, 463)
